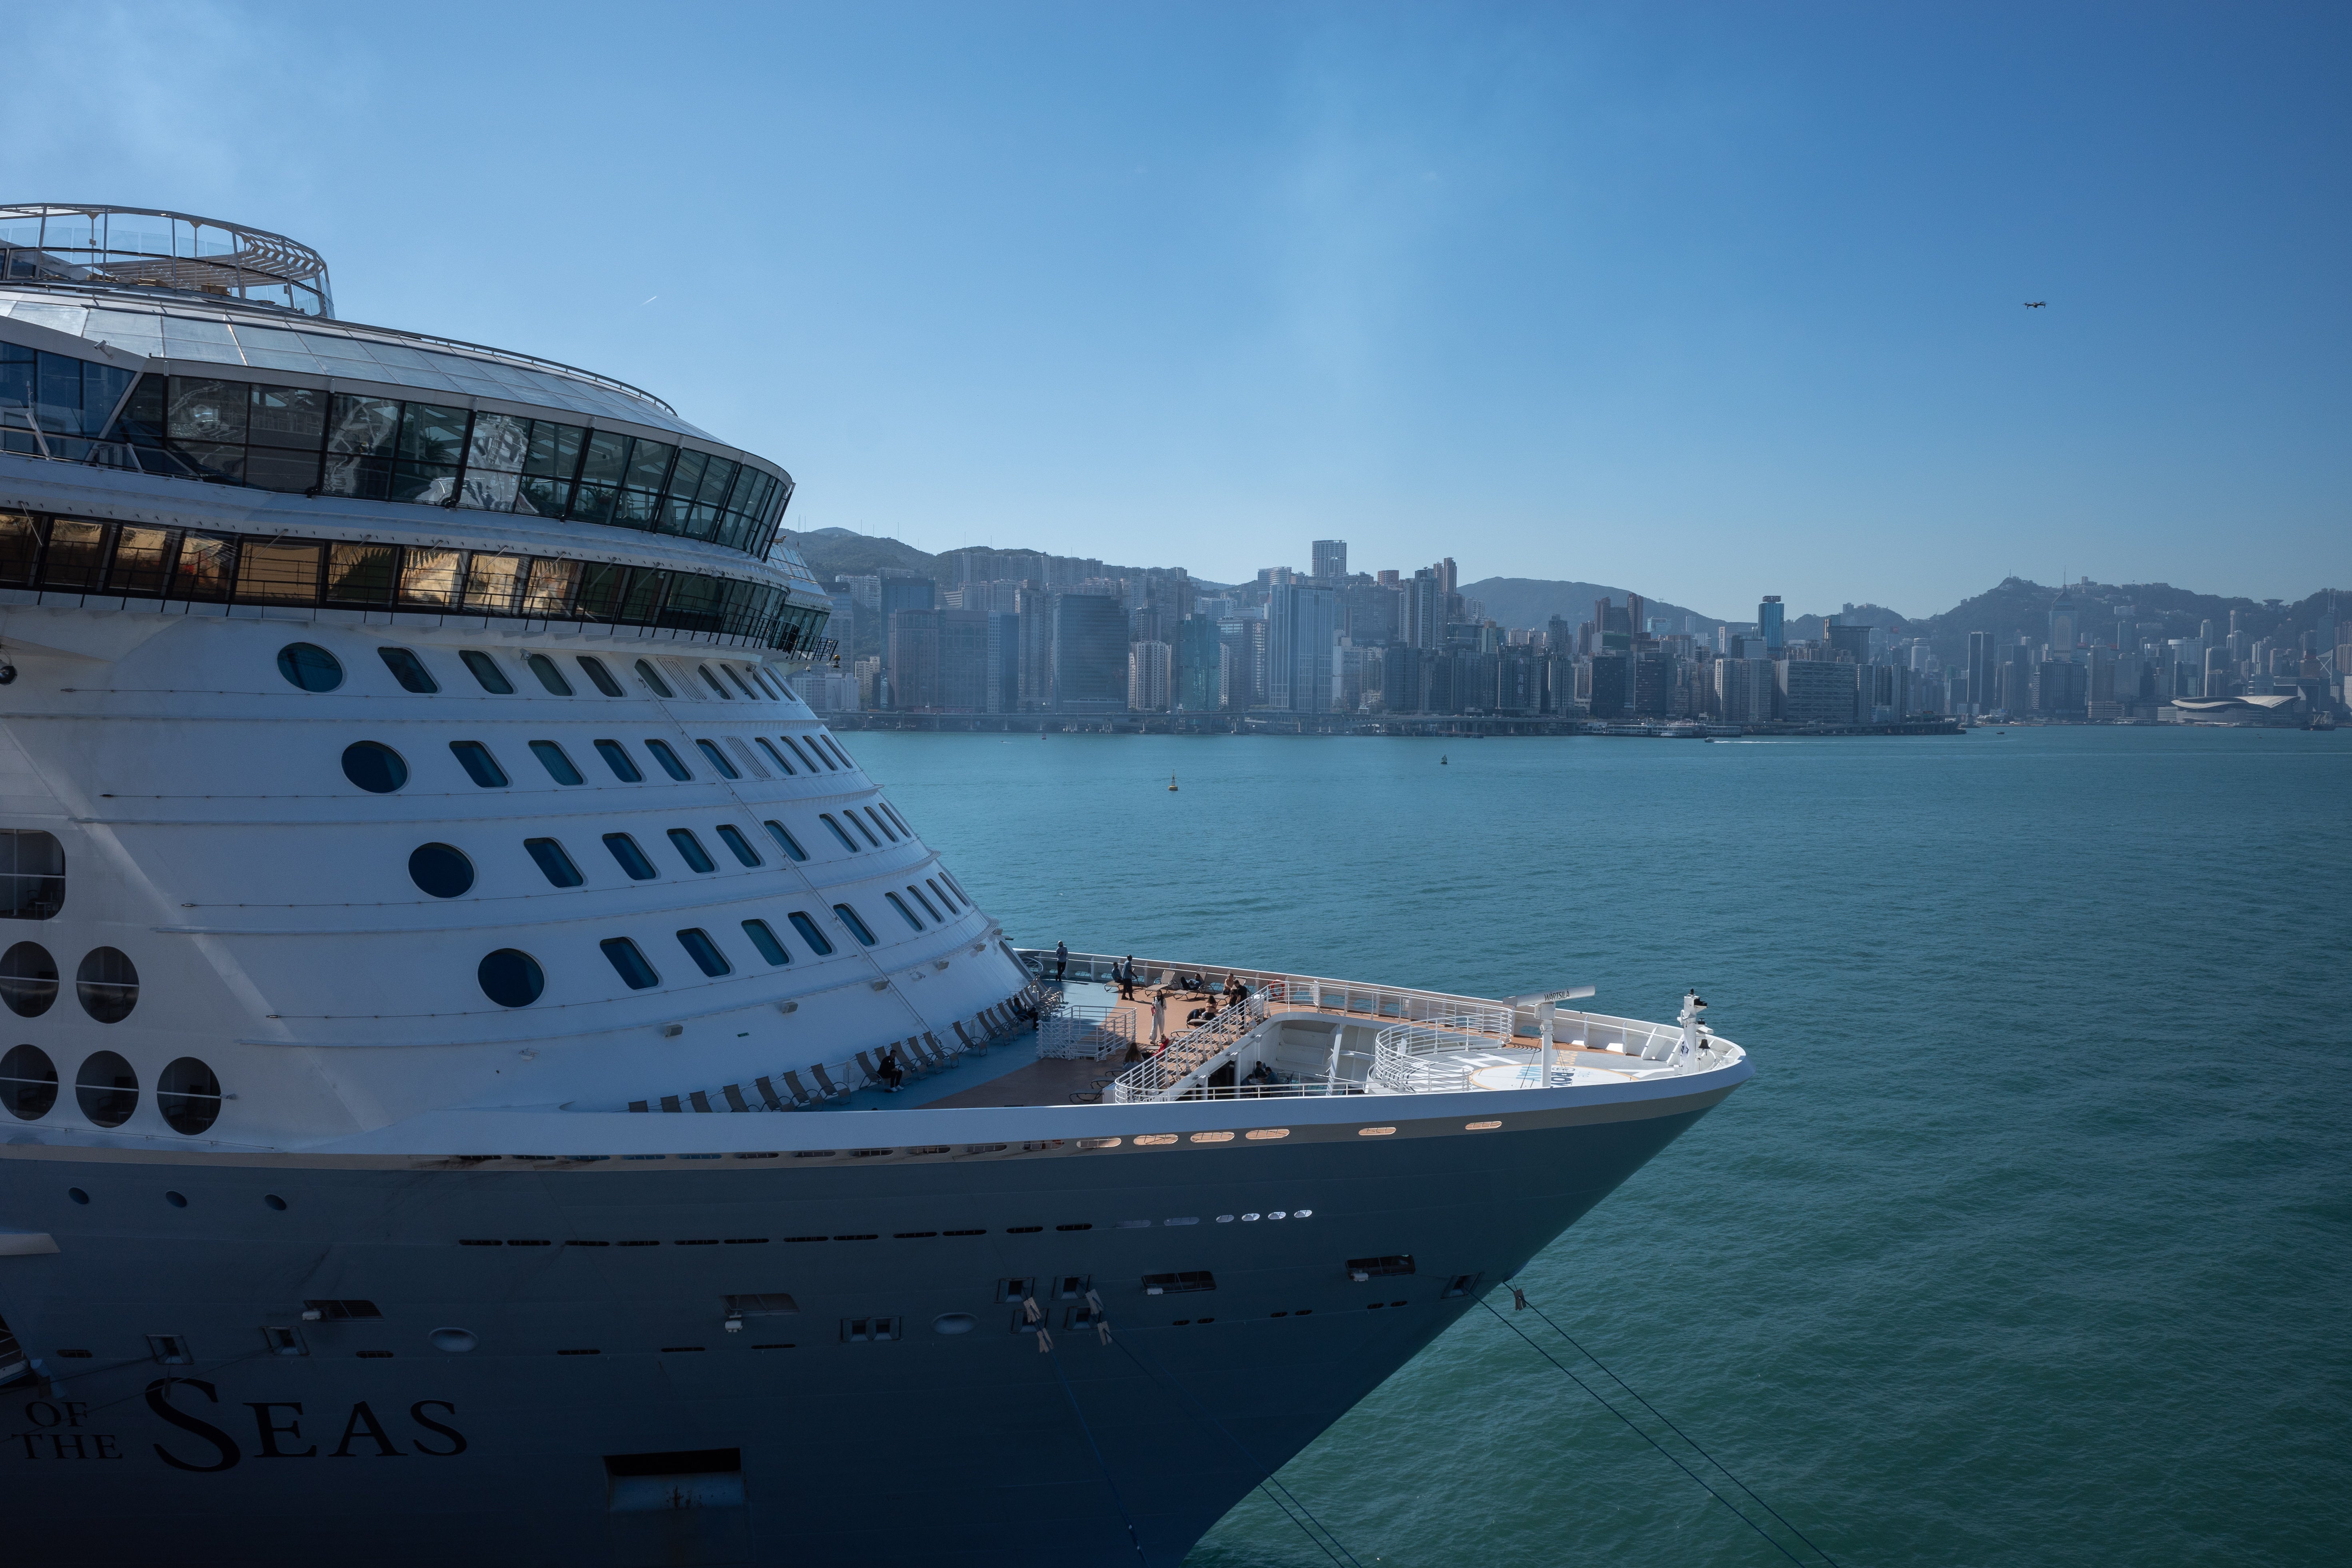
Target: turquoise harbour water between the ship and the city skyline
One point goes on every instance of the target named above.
(2029, 1245)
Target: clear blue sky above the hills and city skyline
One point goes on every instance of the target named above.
(1699, 300)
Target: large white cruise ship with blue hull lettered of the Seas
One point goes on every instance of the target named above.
(493, 1078)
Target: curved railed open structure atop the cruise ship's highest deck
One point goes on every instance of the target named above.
(138, 248)
